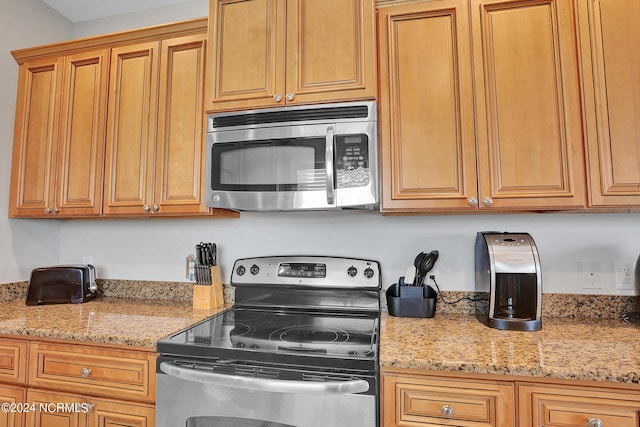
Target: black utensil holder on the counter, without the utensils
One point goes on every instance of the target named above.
(411, 301)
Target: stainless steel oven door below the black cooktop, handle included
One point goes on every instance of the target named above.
(189, 397)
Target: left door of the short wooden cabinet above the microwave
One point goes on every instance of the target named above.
(246, 54)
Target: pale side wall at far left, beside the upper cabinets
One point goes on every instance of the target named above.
(24, 244)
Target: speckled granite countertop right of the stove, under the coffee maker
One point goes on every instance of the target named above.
(565, 348)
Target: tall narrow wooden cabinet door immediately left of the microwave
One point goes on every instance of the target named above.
(180, 155)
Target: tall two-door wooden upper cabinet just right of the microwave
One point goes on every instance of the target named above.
(505, 134)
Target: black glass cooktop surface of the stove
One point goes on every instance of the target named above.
(310, 338)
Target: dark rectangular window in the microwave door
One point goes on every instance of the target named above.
(272, 165)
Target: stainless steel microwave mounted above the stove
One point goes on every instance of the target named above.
(294, 158)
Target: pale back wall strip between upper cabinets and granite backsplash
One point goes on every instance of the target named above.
(156, 249)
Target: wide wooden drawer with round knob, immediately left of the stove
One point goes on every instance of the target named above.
(93, 370)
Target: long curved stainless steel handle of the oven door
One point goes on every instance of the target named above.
(265, 384)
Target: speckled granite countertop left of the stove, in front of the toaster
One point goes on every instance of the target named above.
(120, 321)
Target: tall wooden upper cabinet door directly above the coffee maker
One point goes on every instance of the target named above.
(530, 133)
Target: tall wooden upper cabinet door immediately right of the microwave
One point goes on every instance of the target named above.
(426, 107)
